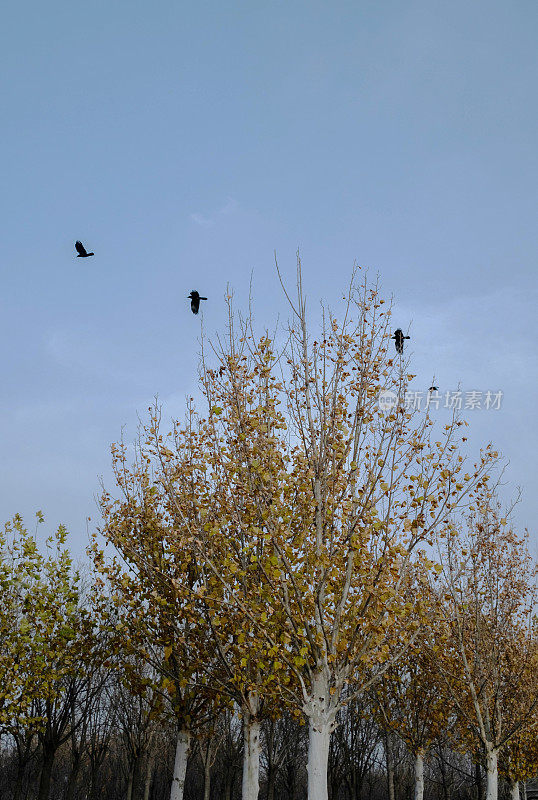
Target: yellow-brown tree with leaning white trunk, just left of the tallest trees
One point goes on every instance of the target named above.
(156, 617)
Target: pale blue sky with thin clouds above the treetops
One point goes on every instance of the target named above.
(185, 142)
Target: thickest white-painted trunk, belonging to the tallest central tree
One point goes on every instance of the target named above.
(321, 713)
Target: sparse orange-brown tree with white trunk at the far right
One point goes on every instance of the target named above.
(488, 597)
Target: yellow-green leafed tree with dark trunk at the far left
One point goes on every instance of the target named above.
(51, 651)
